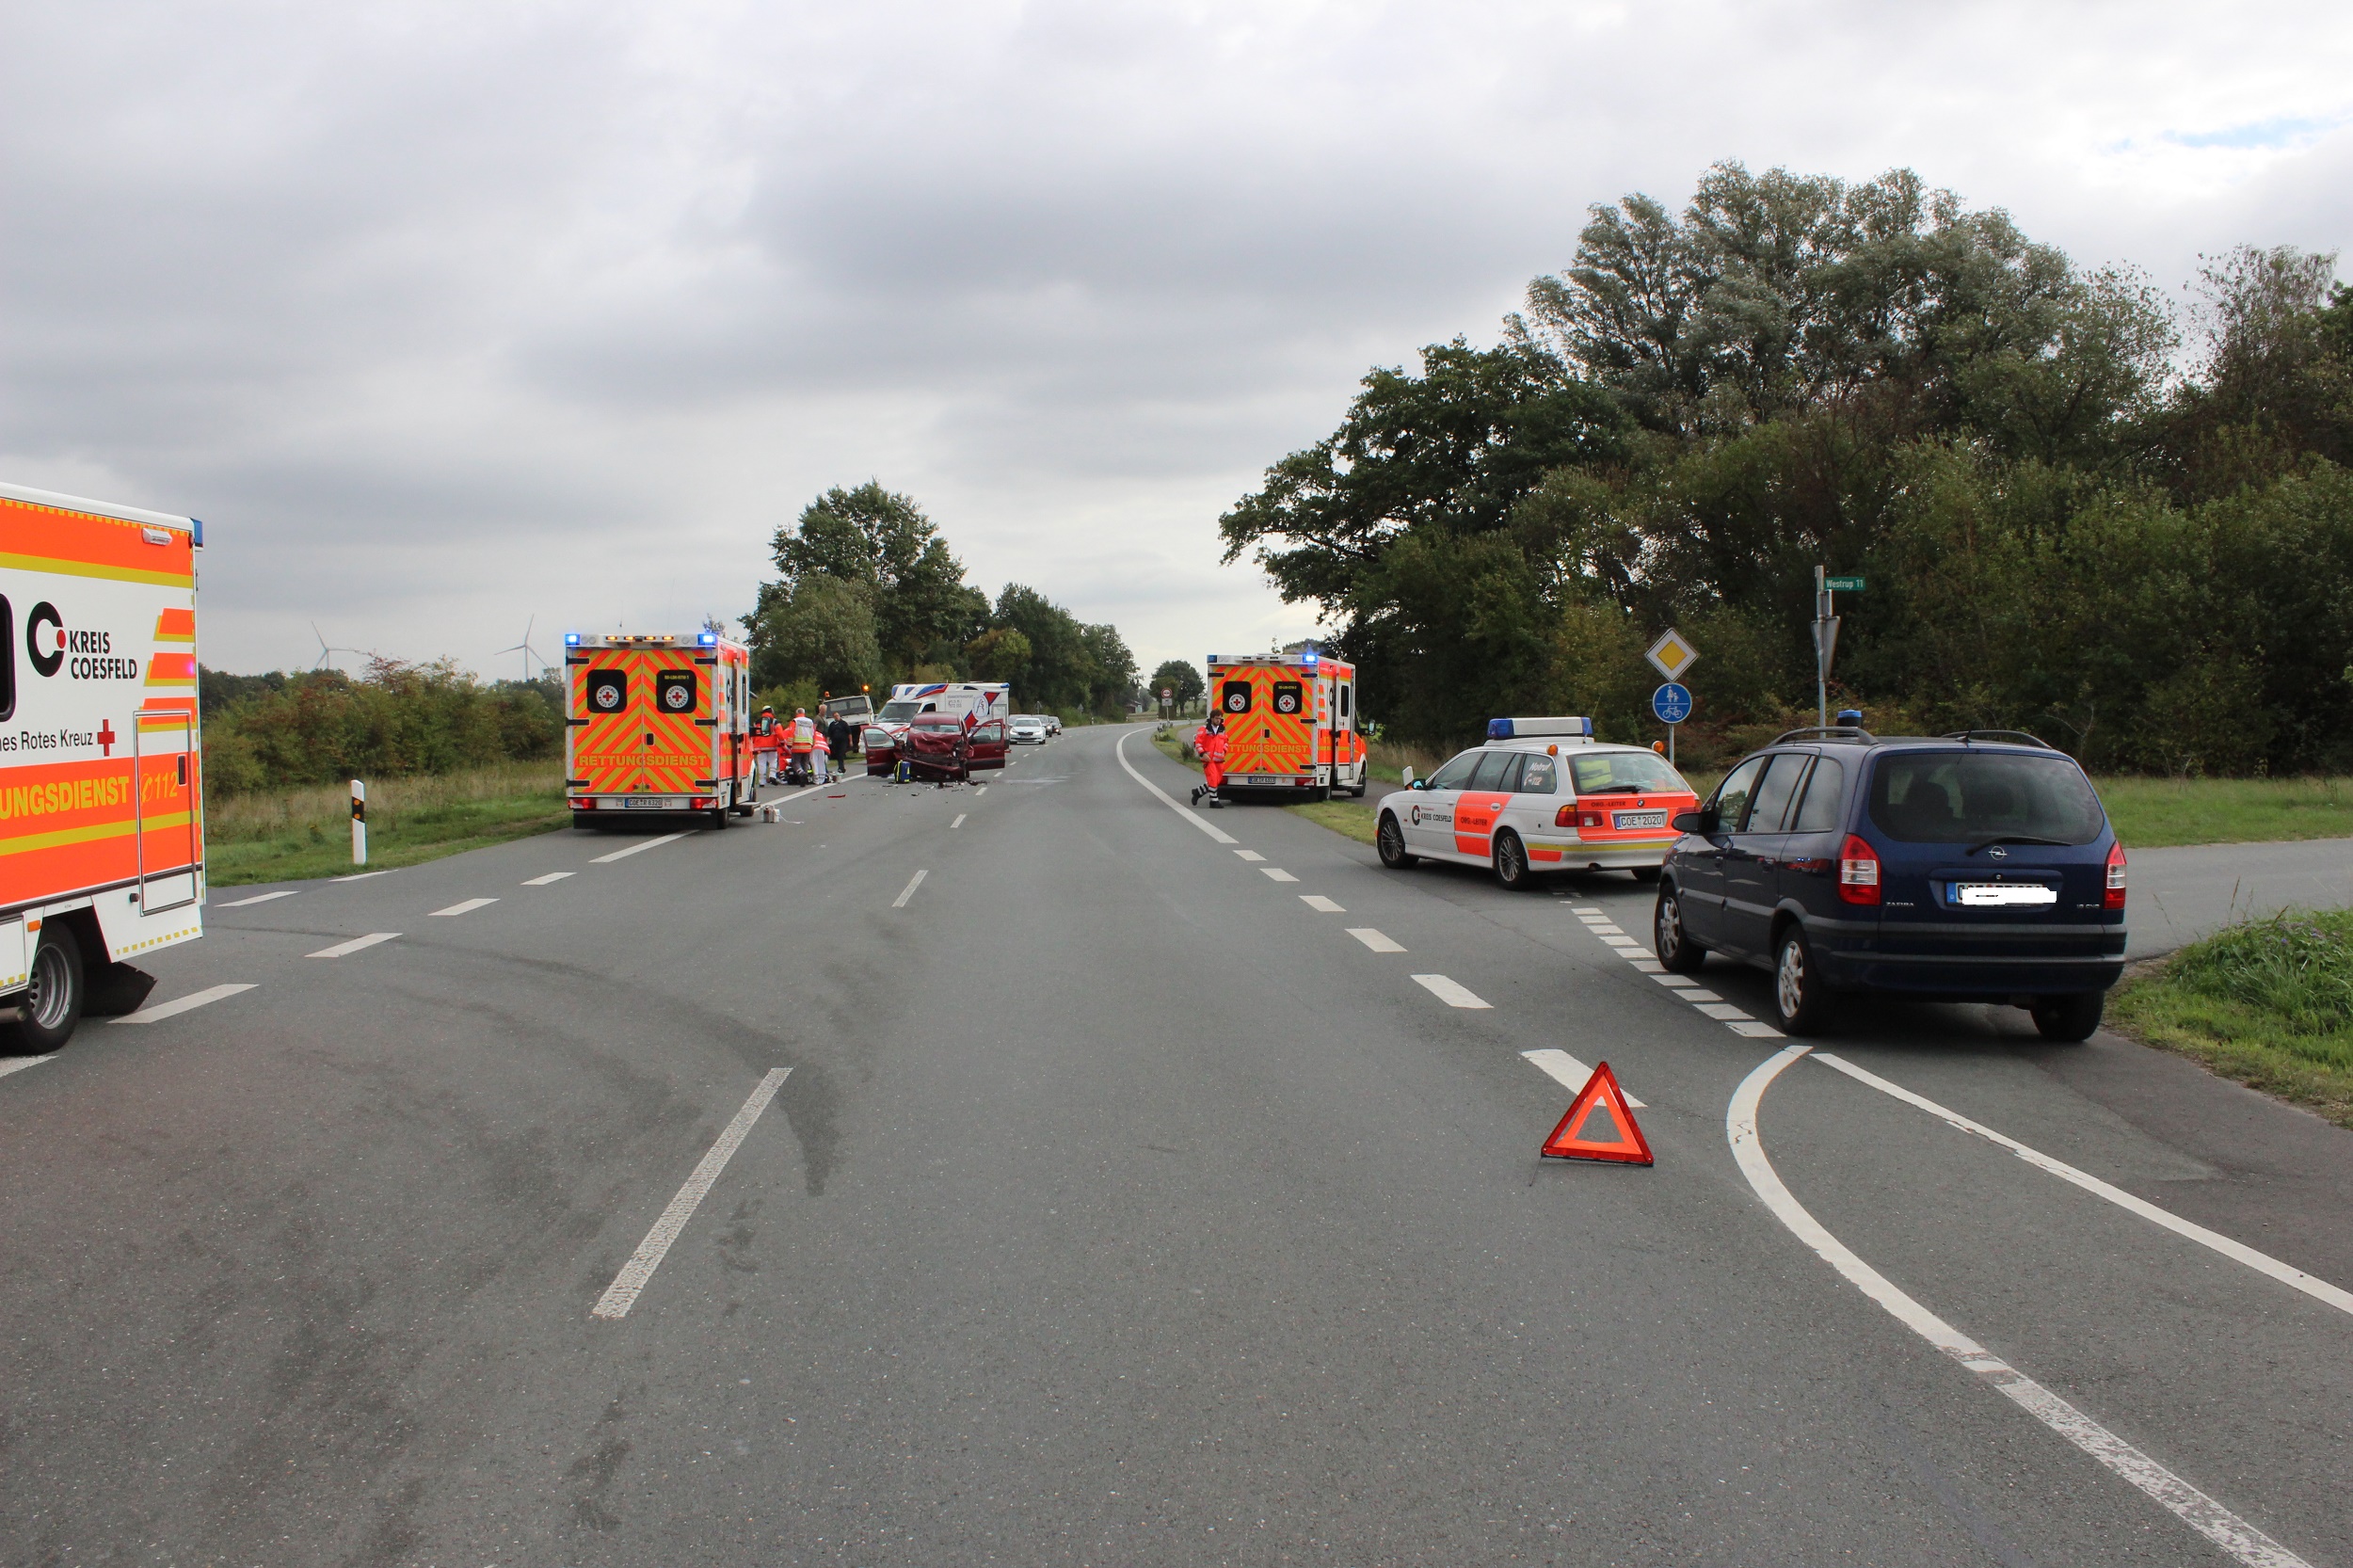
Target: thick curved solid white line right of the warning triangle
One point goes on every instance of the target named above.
(2171, 1491)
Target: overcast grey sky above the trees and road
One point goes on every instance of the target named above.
(455, 314)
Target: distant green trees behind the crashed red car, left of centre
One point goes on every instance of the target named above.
(867, 597)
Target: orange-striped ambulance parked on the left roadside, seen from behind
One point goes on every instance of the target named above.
(658, 724)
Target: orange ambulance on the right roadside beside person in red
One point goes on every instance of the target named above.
(1291, 724)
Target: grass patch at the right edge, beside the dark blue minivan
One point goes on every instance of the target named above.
(2267, 1004)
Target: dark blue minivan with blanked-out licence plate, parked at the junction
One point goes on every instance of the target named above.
(1966, 868)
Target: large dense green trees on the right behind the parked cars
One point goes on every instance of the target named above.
(2081, 512)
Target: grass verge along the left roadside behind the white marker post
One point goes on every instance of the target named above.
(307, 832)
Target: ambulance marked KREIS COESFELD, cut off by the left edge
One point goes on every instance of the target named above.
(102, 825)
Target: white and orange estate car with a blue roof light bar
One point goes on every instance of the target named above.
(1540, 797)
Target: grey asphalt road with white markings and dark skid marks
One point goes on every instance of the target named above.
(1119, 1204)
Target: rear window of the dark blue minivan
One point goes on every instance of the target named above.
(1949, 797)
